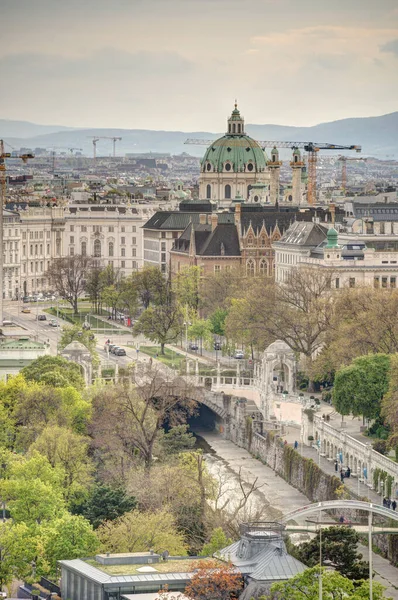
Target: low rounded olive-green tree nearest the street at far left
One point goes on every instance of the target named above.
(54, 371)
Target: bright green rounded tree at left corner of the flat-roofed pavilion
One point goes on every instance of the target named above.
(68, 537)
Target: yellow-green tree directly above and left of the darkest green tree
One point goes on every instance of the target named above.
(69, 451)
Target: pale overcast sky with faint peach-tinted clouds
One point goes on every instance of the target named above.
(179, 64)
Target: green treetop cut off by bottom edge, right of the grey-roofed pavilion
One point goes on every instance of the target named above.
(305, 586)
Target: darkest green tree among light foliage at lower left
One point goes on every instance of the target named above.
(104, 503)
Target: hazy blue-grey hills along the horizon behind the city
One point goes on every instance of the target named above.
(377, 135)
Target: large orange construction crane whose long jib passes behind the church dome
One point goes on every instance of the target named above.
(312, 148)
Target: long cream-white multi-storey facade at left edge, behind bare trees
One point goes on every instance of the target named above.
(36, 235)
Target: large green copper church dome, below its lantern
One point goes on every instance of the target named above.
(234, 153)
